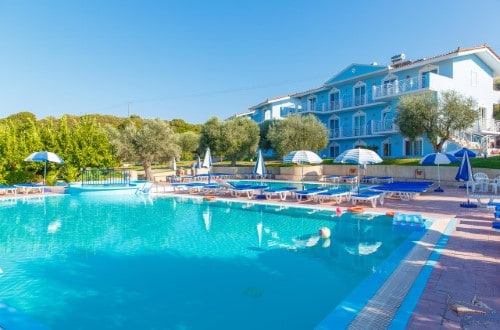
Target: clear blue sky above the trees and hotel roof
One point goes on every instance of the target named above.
(196, 59)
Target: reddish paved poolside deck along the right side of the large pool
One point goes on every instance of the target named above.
(463, 290)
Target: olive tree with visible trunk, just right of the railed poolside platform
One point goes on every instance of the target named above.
(154, 141)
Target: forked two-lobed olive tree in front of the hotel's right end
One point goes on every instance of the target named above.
(437, 119)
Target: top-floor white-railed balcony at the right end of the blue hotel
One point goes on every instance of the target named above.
(428, 82)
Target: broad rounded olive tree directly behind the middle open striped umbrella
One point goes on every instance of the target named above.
(297, 132)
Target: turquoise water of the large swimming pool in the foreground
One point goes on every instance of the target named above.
(136, 262)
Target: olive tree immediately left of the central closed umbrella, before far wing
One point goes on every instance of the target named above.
(241, 138)
